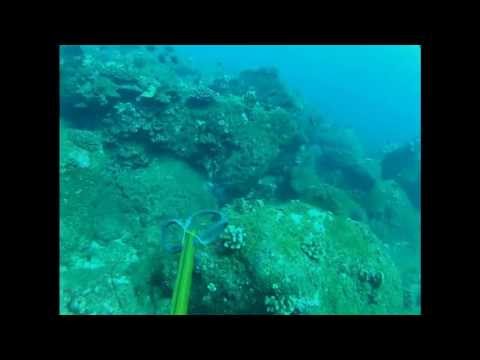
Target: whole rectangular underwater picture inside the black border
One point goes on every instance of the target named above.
(226, 180)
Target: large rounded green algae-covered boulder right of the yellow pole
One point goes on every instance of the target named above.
(296, 259)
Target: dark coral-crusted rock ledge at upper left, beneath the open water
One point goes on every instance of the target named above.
(231, 137)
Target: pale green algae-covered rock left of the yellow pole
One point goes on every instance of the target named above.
(110, 221)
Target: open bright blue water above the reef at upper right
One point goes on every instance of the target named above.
(374, 89)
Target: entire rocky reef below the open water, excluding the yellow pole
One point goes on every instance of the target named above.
(313, 224)
